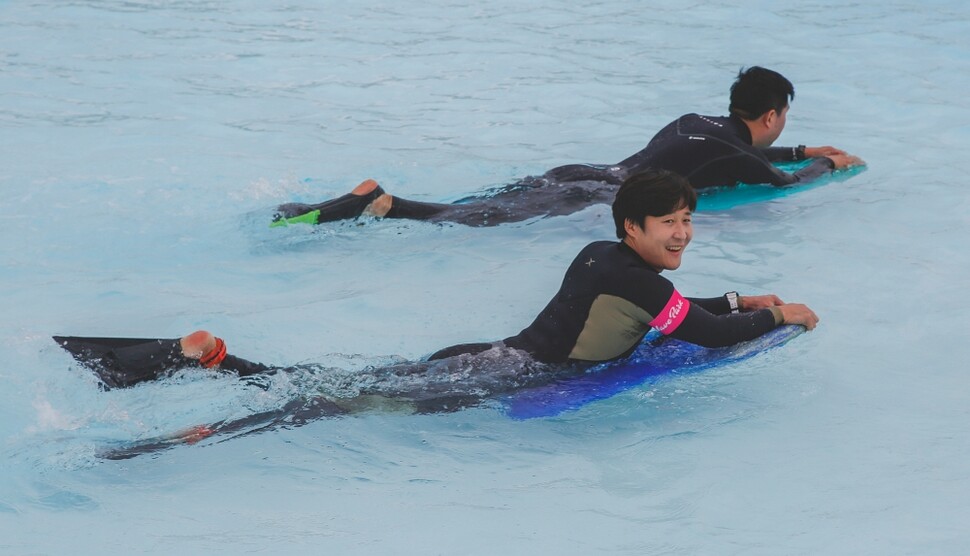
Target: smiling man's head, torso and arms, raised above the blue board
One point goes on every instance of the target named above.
(613, 293)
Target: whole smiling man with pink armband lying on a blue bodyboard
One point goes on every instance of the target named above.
(611, 296)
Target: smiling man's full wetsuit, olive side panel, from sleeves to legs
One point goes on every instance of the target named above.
(609, 299)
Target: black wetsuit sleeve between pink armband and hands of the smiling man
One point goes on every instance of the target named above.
(706, 329)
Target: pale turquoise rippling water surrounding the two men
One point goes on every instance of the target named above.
(144, 145)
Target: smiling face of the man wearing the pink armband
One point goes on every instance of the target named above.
(662, 240)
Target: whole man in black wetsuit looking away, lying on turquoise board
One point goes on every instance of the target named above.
(707, 150)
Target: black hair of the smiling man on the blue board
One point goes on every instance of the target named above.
(651, 193)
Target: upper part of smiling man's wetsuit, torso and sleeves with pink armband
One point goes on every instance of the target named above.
(610, 298)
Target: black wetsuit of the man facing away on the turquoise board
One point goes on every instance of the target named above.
(707, 150)
